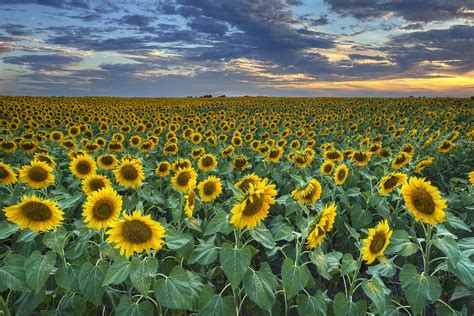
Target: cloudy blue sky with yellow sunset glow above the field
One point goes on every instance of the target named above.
(237, 47)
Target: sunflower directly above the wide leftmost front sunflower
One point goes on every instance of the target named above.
(37, 175)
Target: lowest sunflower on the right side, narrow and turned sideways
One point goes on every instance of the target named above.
(377, 241)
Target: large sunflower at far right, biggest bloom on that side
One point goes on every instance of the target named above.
(424, 201)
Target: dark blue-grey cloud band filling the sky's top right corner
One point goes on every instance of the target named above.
(410, 10)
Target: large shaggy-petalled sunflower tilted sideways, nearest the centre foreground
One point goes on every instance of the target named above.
(254, 205)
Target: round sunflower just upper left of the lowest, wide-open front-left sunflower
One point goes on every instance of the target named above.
(101, 208)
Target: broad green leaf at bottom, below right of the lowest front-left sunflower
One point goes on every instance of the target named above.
(174, 291)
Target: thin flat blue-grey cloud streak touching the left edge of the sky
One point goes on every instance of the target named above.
(42, 62)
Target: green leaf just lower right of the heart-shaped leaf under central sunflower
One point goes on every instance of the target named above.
(260, 286)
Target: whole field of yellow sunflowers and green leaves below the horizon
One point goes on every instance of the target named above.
(225, 206)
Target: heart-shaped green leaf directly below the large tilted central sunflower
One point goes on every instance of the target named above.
(235, 263)
